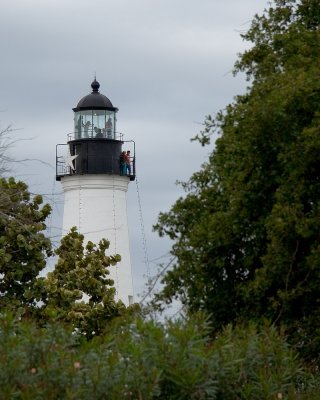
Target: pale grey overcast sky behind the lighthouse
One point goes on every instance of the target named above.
(164, 63)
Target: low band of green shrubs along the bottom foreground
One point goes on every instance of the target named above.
(145, 360)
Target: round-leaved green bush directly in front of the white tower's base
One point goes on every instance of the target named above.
(78, 290)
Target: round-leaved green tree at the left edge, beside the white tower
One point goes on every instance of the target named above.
(23, 244)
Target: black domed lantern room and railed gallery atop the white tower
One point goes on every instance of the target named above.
(95, 146)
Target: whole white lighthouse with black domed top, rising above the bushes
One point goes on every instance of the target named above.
(95, 167)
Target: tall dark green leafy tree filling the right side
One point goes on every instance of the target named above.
(246, 235)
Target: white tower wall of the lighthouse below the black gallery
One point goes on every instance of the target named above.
(97, 206)
